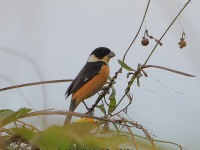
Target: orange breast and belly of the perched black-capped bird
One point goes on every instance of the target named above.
(93, 85)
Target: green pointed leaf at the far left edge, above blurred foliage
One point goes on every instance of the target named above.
(7, 116)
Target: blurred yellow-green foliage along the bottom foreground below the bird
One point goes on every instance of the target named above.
(93, 134)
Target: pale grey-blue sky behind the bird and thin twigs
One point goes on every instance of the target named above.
(52, 39)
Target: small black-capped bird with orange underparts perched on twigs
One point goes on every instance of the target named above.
(90, 79)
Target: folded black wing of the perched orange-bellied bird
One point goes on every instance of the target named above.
(90, 70)
